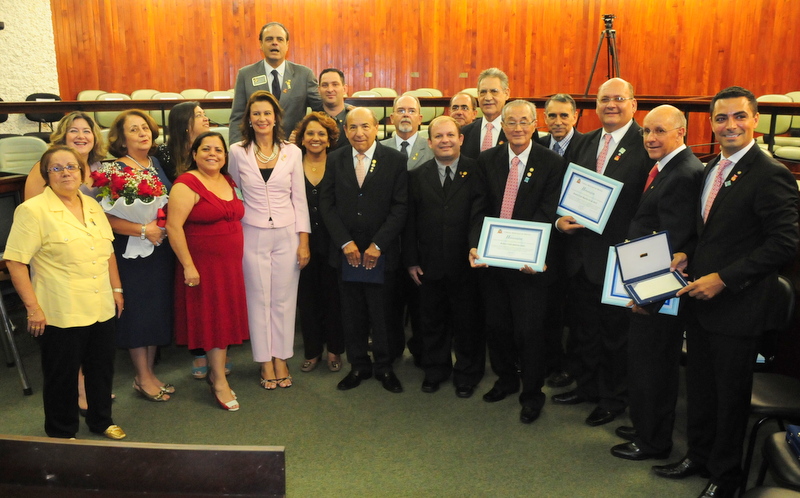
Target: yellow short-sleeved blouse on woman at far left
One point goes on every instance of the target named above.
(69, 261)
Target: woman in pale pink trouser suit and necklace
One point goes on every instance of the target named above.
(276, 226)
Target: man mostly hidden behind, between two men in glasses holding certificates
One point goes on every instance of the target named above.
(560, 115)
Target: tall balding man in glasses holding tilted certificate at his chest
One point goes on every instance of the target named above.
(601, 331)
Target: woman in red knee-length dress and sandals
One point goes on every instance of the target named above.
(206, 235)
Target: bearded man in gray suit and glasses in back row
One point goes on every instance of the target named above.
(406, 119)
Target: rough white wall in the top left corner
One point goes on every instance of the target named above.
(27, 56)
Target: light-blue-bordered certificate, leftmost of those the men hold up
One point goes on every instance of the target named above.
(514, 243)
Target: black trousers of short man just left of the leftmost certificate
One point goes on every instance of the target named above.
(451, 323)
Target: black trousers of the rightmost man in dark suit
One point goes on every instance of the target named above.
(719, 381)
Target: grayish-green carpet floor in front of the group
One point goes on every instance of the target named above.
(368, 442)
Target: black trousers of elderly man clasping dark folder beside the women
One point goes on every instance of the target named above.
(365, 308)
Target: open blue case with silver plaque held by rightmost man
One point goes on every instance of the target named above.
(644, 268)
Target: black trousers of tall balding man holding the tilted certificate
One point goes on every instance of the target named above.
(601, 337)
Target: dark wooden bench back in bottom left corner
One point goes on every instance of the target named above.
(34, 466)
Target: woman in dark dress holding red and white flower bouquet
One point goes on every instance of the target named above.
(133, 189)
